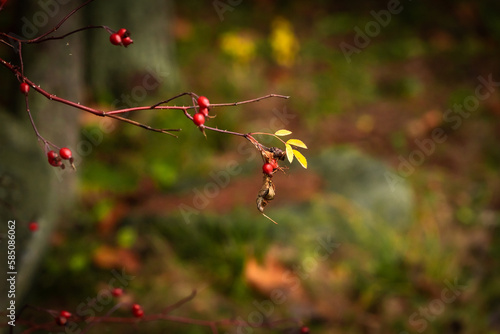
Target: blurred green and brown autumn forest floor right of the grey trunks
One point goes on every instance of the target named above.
(397, 249)
